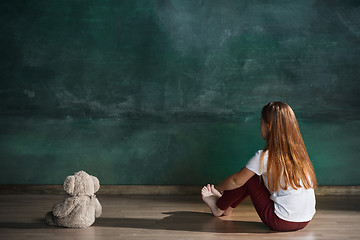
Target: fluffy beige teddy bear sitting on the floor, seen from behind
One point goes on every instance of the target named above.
(81, 207)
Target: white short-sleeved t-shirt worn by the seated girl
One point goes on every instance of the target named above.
(290, 205)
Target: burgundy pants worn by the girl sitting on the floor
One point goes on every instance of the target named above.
(264, 206)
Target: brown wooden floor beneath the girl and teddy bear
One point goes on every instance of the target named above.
(171, 217)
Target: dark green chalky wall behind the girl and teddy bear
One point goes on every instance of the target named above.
(170, 92)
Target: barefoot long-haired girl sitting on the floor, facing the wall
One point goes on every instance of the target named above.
(284, 199)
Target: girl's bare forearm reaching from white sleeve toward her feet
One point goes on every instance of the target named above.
(236, 180)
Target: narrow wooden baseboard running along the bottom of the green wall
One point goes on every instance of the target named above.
(150, 189)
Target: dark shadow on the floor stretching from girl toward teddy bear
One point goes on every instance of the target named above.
(186, 221)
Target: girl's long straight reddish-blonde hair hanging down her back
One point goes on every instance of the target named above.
(287, 154)
